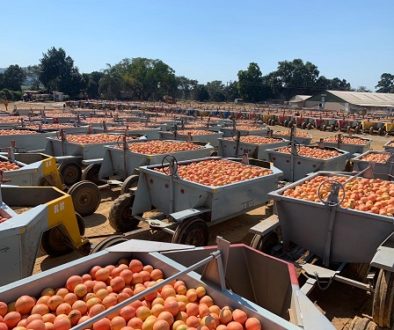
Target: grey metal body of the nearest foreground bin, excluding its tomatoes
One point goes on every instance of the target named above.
(288, 309)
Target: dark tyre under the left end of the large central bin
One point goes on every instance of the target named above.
(120, 216)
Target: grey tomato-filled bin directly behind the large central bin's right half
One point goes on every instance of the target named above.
(253, 145)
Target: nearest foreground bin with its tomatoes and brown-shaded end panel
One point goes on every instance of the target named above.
(266, 295)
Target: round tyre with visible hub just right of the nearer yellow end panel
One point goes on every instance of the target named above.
(86, 197)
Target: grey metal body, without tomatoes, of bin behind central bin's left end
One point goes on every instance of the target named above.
(122, 163)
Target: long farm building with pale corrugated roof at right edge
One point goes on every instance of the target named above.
(351, 101)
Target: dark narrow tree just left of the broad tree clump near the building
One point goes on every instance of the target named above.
(250, 83)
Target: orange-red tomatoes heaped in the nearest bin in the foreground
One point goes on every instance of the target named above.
(173, 306)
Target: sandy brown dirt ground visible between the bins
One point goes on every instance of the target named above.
(340, 303)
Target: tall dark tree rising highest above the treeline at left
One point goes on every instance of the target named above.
(58, 72)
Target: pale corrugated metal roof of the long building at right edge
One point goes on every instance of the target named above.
(366, 99)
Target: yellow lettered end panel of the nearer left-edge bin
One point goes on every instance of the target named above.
(61, 213)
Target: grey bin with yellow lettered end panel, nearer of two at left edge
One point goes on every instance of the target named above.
(30, 216)
